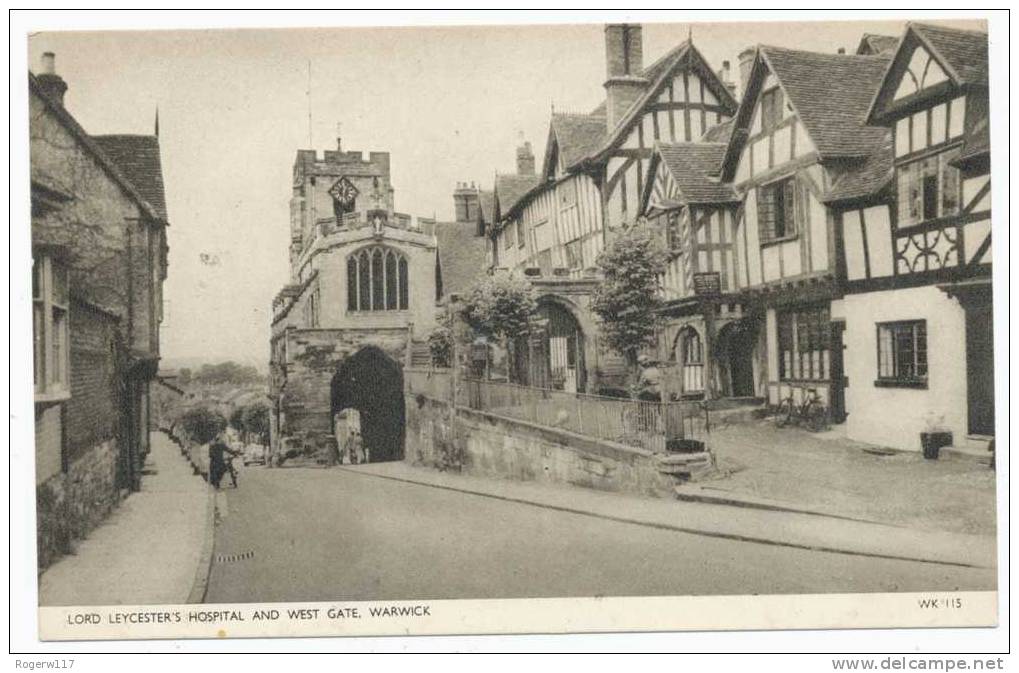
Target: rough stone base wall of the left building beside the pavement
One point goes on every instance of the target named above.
(71, 504)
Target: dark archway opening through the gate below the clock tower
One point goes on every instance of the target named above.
(373, 384)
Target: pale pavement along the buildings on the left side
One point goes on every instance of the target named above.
(153, 549)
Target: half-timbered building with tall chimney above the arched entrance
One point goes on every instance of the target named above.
(596, 169)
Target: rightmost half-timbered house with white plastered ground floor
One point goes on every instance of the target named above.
(915, 239)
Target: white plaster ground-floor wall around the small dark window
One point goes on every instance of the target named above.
(894, 417)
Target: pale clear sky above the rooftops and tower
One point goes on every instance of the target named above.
(451, 105)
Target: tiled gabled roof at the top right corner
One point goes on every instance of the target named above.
(962, 55)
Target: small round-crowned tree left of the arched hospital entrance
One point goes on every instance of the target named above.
(501, 307)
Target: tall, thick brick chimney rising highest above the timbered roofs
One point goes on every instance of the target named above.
(624, 65)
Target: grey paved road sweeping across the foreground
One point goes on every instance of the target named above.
(320, 535)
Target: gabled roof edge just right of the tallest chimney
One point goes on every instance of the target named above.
(658, 75)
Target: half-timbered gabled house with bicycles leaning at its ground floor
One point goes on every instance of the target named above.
(800, 128)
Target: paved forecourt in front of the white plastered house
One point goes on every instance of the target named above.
(826, 474)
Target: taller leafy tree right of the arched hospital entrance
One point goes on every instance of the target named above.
(627, 301)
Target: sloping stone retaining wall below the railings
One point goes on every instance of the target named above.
(496, 446)
